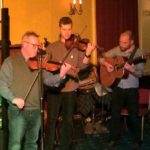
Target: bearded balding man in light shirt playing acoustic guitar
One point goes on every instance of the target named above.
(126, 90)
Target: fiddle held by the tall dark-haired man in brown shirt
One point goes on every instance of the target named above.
(75, 41)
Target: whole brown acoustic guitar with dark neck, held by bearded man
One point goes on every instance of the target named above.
(110, 79)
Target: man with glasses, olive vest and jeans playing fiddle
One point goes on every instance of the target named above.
(24, 112)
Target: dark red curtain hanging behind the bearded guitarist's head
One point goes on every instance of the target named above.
(112, 18)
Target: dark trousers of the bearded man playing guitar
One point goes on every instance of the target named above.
(129, 97)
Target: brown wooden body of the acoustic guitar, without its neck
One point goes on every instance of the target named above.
(109, 79)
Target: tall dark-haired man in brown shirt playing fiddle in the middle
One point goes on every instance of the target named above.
(64, 98)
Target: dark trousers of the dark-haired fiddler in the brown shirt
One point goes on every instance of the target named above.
(65, 101)
